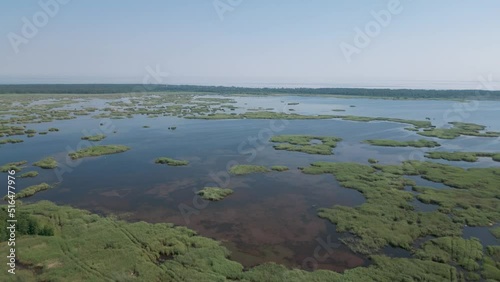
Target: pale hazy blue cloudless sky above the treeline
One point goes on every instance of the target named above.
(365, 43)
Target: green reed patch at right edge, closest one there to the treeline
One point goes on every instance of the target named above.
(458, 129)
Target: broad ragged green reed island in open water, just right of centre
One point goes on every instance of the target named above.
(320, 145)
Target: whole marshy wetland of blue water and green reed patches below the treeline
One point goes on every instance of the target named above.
(277, 184)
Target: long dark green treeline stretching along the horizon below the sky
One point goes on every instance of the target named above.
(140, 88)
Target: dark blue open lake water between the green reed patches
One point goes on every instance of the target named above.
(270, 217)
